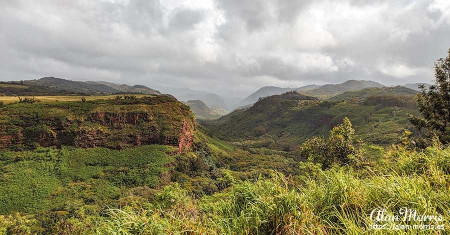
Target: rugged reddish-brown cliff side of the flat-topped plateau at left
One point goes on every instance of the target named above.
(117, 124)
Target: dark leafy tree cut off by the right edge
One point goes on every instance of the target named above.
(434, 104)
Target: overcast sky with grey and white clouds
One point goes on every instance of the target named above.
(230, 47)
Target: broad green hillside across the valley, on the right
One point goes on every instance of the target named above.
(284, 121)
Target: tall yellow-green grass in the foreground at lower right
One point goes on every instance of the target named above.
(334, 201)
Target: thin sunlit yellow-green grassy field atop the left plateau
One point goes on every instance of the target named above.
(15, 99)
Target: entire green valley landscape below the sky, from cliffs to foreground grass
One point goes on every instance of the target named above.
(142, 163)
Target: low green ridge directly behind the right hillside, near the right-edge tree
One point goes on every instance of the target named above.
(364, 93)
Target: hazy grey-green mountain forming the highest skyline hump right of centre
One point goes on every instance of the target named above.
(330, 90)
